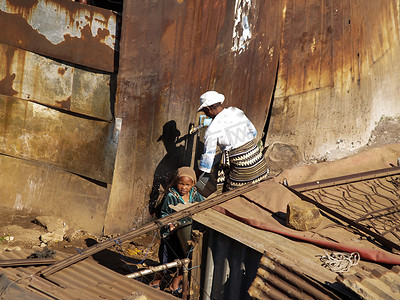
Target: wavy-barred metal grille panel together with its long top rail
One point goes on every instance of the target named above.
(370, 200)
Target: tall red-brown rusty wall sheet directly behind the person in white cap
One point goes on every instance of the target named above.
(171, 52)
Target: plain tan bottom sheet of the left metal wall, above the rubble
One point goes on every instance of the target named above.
(33, 187)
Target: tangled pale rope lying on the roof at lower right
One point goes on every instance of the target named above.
(340, 262)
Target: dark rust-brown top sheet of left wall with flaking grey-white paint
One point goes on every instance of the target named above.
(66, 30)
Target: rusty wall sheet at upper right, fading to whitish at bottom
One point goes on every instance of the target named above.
(337, 76)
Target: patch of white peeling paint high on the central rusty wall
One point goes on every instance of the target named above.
(242, 27)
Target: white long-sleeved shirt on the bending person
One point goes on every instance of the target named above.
(230, 129)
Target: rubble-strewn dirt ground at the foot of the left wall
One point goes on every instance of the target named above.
(18, 231)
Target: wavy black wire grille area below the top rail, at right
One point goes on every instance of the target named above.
(373, 203)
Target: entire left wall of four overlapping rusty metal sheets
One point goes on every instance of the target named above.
(58, 135)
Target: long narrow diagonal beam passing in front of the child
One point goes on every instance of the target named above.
(187, 212)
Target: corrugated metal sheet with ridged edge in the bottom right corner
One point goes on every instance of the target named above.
(376, 285)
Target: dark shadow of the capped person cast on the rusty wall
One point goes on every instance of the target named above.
(177, 156)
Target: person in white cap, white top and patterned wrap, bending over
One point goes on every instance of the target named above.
(235, 135)
